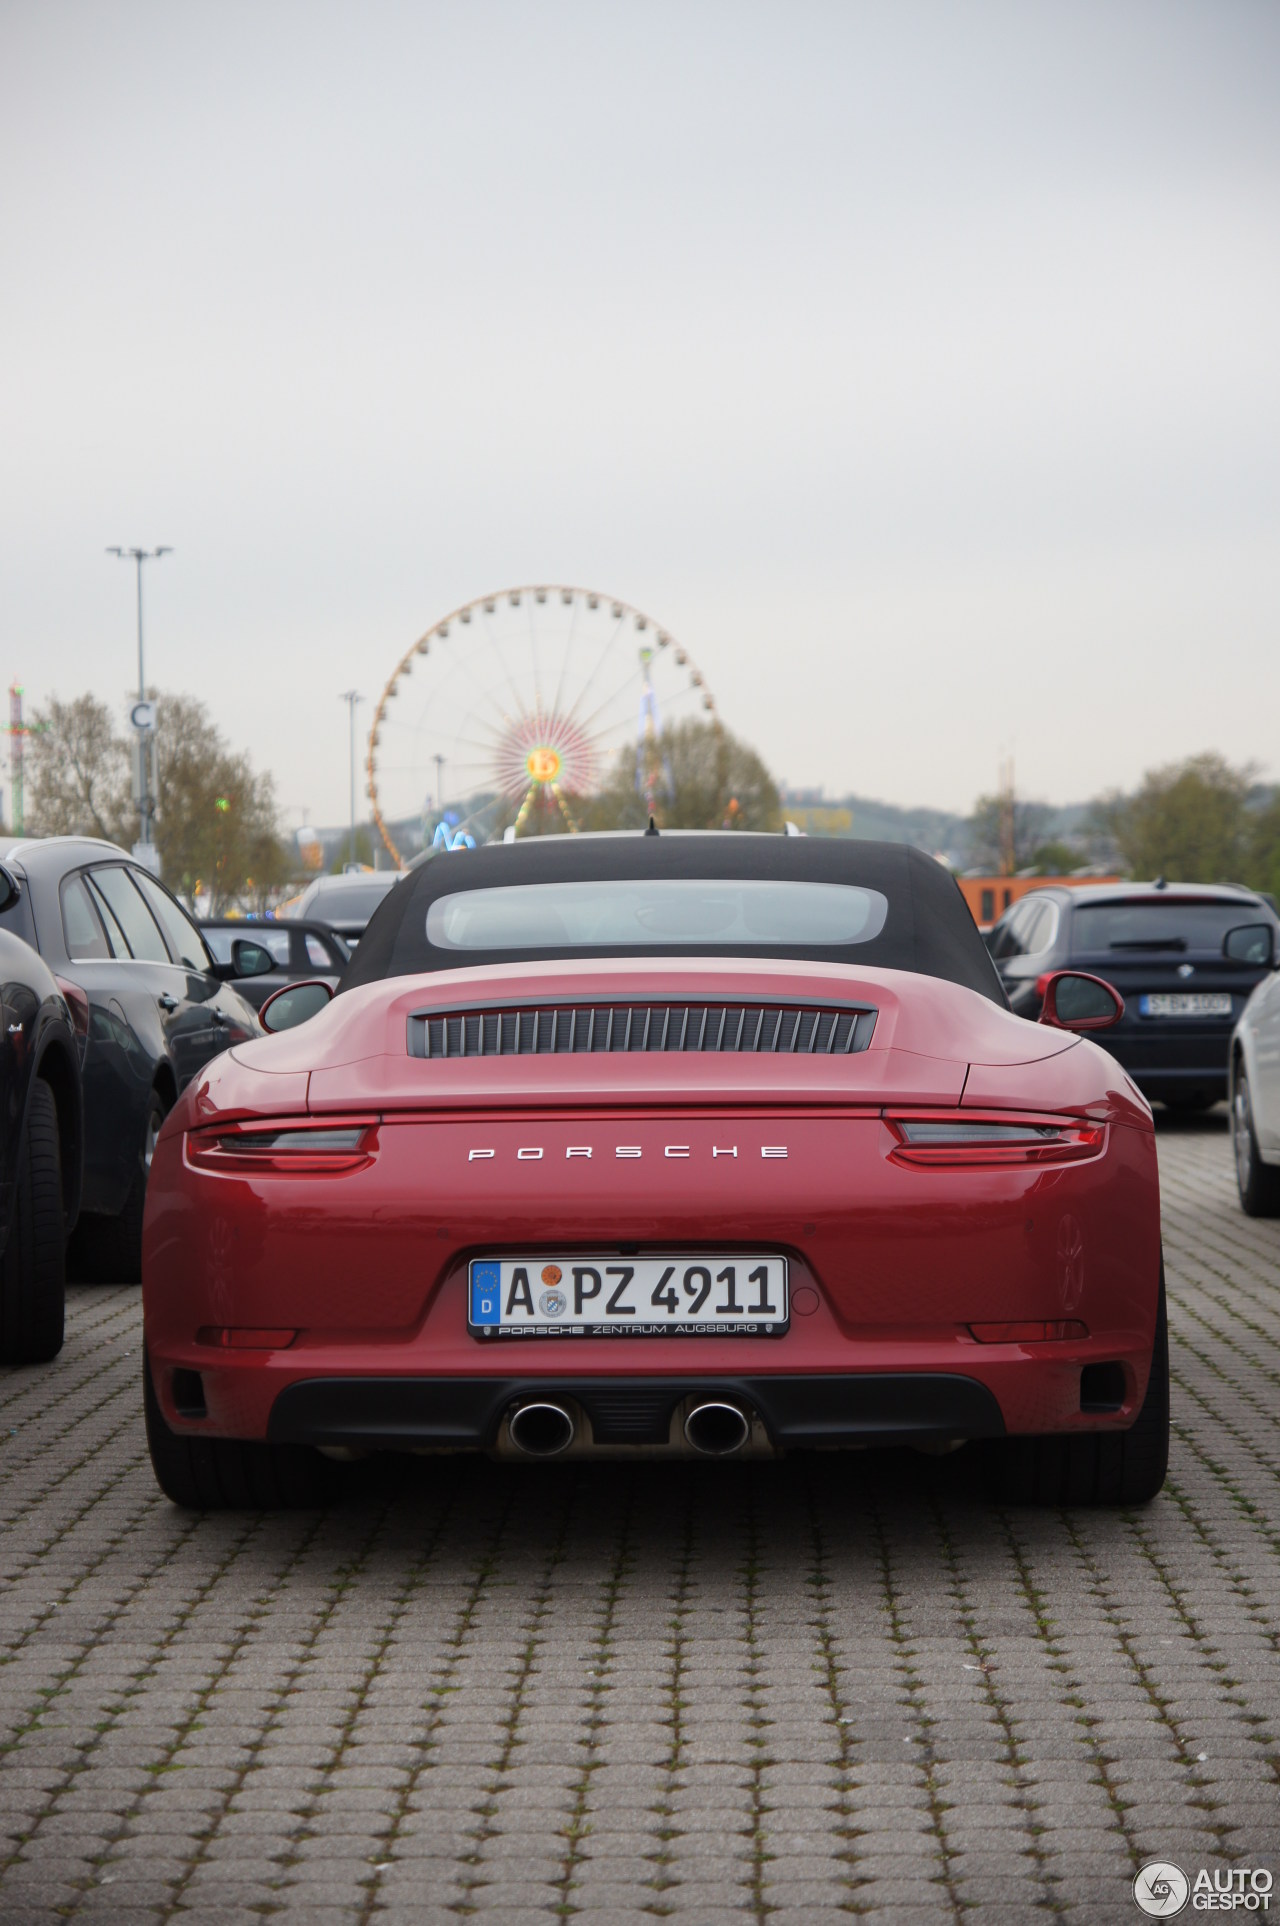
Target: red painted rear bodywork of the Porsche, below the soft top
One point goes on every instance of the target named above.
(892, 1262)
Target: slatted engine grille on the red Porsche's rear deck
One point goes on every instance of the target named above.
(611, 1029)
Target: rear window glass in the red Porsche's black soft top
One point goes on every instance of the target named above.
(655, 914)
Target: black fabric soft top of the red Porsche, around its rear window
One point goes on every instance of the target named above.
(929, 927)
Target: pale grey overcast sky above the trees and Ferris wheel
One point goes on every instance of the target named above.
(919, 365)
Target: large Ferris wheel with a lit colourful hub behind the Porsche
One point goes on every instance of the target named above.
(511, 714)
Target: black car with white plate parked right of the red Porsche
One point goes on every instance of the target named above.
(1183, 956)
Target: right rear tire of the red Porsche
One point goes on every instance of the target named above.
(1092, 1467)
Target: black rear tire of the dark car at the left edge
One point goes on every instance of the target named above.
(34, 1274)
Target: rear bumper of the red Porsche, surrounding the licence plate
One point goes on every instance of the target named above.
(365, 1278)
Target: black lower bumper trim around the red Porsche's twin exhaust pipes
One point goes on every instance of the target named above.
(432, 1413)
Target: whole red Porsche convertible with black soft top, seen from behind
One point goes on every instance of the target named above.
(661, 1145)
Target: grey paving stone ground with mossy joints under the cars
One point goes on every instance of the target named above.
(802, 1692)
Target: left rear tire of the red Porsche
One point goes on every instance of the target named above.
(232, 1474)
